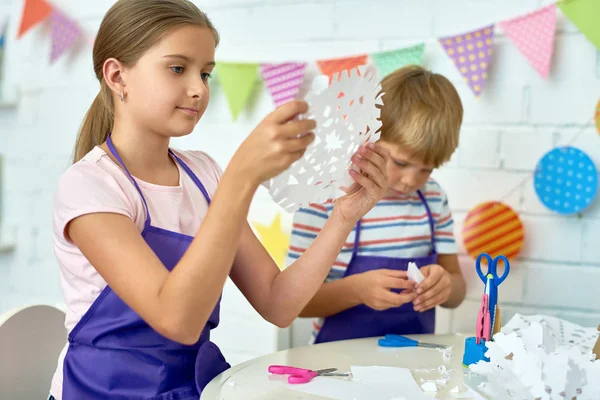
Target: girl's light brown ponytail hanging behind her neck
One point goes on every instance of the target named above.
(97, 123)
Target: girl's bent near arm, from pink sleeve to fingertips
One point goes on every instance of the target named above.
(179, 303)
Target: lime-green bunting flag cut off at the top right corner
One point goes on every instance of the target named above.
(584, 14)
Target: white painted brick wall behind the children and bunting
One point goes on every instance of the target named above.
(519, 117)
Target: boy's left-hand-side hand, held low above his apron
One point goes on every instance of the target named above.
(373, 288)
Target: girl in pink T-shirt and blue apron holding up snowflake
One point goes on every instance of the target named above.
(143, 258)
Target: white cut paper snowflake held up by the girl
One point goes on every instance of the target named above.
(347, 116)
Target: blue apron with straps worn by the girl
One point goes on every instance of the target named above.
(114, 354)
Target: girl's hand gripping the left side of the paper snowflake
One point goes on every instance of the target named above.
(275, 143)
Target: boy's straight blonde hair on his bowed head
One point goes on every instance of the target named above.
(422, 113)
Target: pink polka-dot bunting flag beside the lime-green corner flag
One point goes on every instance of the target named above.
(533, 34)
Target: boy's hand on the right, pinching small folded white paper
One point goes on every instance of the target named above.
(434, 290)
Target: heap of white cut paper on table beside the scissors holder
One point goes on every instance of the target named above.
(535, 357)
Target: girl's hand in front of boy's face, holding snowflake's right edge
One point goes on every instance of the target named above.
(369, 185)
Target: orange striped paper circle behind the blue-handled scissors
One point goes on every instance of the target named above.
(493, 228)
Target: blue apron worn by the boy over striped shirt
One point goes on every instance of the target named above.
(362, 321)
